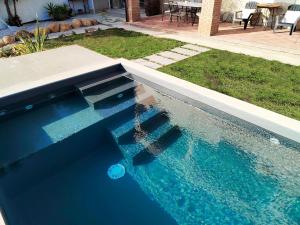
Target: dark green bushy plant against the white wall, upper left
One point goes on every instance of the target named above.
(58, 12)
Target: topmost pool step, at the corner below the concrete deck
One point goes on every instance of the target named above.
(92, 85)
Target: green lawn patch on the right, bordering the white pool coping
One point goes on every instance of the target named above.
(268, 84)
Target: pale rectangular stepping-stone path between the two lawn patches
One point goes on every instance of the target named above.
(158, 60)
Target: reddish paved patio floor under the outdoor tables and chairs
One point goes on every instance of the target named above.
(229, 32)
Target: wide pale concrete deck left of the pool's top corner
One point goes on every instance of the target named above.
(29, 71)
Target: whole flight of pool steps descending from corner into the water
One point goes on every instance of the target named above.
(141, 129)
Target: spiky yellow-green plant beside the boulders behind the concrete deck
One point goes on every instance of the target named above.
(35, 44)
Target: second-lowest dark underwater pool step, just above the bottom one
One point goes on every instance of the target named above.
(144, 128)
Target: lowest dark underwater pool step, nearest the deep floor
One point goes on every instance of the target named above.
(149, 154)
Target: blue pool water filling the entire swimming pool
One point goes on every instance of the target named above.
(183, 165)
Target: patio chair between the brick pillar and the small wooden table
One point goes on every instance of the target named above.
(249, 13)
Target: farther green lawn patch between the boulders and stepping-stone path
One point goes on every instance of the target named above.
(117, 43)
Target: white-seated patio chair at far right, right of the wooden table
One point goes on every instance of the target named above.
(289, 19)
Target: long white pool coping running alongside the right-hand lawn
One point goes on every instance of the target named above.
(274, 122)
